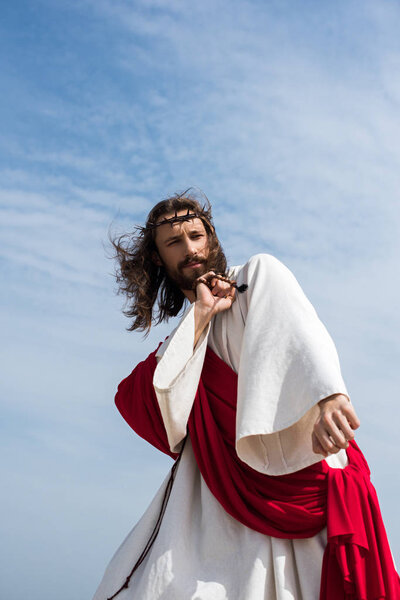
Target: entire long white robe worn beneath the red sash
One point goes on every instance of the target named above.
(286, 362)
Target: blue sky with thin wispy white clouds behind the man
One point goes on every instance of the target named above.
(286, 115)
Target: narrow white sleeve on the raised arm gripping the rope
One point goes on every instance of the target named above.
(177, 377)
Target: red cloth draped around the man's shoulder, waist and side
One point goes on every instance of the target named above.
(357, 562)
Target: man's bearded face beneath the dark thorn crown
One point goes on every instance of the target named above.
(183, 249)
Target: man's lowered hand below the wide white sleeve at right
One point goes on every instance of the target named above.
(335, 425)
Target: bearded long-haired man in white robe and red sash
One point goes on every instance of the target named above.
(247, 395)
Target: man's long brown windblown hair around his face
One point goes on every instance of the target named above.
(143, 282)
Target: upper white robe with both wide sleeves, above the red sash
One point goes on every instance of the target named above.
(285, 359)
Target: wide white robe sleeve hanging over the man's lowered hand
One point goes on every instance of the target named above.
(288, 363)
